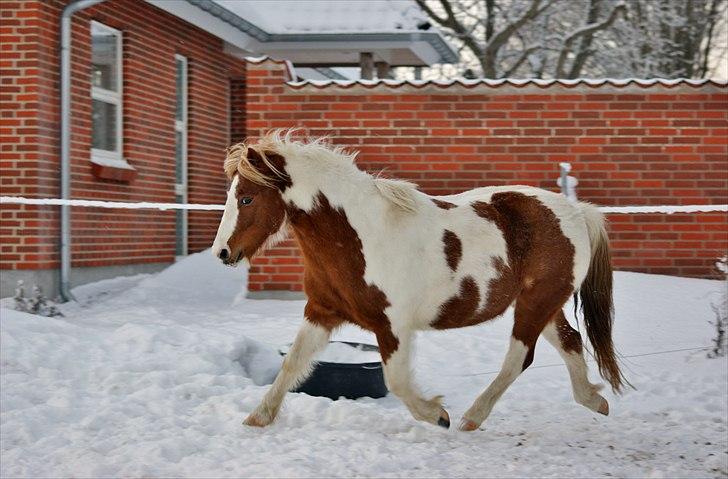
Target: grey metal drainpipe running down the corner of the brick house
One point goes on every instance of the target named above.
(66, 17)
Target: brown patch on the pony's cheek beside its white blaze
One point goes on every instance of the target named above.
(257, 221)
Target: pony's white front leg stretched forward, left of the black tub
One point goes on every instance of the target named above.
(311, 339)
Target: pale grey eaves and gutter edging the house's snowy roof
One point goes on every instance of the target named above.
(405, 48)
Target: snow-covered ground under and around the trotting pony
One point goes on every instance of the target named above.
(152, 376)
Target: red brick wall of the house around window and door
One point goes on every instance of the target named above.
(29, 66)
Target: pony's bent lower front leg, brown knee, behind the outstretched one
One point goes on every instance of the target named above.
(396, 353)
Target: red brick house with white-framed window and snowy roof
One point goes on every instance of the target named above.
(157, 91)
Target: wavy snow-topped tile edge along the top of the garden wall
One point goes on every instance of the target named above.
(518, 83)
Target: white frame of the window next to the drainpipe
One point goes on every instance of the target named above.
(105, 157)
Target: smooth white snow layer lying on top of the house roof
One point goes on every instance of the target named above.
(328, 16)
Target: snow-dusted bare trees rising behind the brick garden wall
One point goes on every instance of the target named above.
(576, 38)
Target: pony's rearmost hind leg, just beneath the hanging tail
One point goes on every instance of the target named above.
(567, 342)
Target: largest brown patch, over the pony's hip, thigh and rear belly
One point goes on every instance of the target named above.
(538, 250)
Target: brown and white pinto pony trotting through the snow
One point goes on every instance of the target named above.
(380, 254)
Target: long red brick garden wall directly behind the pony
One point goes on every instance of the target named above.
(628, 146)
